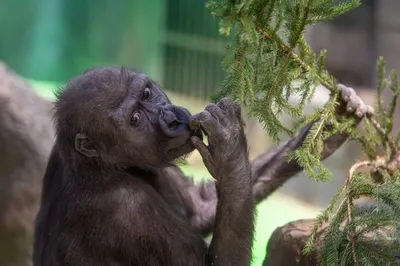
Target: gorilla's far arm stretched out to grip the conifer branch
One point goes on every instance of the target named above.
(270, 170)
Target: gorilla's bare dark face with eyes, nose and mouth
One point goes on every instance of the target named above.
(158, 126)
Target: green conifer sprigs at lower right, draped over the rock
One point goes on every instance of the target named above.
(367, 236)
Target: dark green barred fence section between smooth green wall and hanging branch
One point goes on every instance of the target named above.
(193, 49)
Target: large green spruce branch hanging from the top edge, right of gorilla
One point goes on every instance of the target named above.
(268, 53)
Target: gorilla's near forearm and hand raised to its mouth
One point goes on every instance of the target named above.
(226, 158)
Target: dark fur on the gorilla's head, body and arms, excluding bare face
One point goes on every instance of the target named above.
(101, 210)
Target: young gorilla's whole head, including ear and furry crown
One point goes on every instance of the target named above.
(123, 118)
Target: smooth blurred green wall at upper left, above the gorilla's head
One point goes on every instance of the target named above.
(56, 39)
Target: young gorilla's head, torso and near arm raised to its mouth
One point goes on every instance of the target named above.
(106, 195)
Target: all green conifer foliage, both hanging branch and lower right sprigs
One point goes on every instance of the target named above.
(267, 62)
